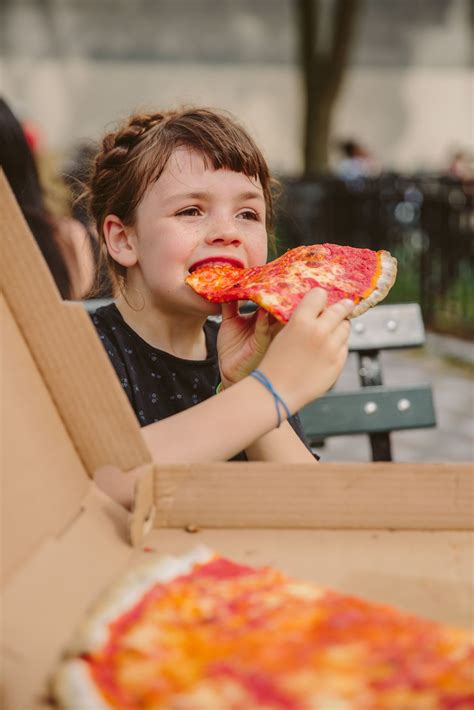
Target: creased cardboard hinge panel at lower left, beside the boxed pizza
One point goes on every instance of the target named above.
(48, 597)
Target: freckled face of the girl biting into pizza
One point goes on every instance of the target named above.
(195, 214)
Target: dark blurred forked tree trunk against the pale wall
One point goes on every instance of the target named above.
(323, 72)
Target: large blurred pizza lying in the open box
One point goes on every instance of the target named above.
(205, 633)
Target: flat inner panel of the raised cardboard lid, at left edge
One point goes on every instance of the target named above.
(43, 479)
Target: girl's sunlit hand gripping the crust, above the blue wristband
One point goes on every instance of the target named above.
(306, 357)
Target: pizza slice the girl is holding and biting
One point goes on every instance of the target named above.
(363, 275)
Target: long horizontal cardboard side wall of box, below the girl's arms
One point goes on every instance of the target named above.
(398, 496)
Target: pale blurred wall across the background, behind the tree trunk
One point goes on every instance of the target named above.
(79, 67)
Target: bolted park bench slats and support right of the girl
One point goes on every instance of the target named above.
(374, 408)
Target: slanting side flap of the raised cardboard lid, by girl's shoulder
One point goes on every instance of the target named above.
(67, 351)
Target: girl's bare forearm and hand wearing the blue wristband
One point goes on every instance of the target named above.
(302, 362)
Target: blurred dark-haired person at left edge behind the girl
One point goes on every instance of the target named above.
(64, 242)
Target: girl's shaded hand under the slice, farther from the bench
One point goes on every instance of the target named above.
(242, 341)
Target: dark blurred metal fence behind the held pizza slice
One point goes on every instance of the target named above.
(427, 222)
